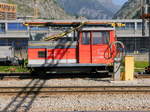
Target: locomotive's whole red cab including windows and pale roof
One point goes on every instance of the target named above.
(94, 45)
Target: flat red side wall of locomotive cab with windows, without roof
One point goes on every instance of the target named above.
(92, 46)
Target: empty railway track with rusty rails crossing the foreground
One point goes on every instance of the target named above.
(77, 89)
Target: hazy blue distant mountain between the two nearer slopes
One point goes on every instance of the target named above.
(91, 9)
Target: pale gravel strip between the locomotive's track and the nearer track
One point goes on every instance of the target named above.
(74, 82)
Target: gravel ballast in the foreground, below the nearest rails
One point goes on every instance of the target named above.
(79, 102)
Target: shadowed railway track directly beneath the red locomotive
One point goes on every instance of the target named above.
(29, 75)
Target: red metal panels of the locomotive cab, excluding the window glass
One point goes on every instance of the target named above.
(94, 53)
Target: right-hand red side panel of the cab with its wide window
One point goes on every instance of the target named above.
(100, 42)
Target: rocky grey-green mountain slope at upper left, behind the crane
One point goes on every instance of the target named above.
(47, 9)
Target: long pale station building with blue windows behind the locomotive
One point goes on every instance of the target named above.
(15, 33)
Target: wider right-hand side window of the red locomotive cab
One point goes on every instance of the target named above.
(100, 37)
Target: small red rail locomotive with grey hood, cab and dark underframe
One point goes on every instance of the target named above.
(90, 51)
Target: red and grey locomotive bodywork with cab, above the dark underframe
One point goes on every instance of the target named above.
(91, 48)
